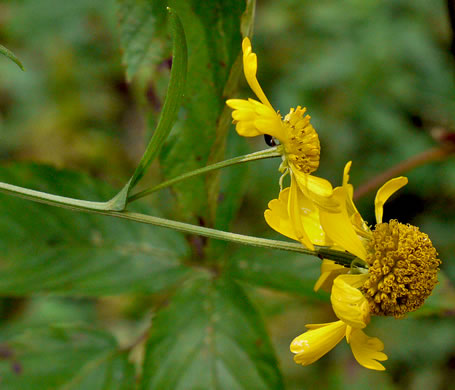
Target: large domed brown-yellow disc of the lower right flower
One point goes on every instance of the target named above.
(403, 269)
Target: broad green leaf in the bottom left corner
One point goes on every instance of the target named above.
(64, 358)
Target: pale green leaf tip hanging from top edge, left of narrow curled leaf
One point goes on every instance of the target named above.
(141, 23)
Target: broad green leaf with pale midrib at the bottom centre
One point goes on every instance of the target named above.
(210, 337)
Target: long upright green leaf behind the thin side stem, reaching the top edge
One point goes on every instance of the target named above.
(213, 36)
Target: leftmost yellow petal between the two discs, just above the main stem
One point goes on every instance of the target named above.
(277, 215)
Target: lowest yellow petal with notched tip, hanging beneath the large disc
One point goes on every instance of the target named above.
(367, 350)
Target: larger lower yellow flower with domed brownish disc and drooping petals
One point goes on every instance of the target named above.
(400, 271)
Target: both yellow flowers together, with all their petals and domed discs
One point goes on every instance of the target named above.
(400, 262)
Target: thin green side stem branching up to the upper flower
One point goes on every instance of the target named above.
(267, 153)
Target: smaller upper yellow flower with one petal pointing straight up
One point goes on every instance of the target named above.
(299, 141)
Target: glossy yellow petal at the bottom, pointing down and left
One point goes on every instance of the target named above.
(316, 342)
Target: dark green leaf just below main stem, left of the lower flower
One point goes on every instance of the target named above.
(280, 270)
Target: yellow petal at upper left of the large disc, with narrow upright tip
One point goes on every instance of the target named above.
(338, 226)
